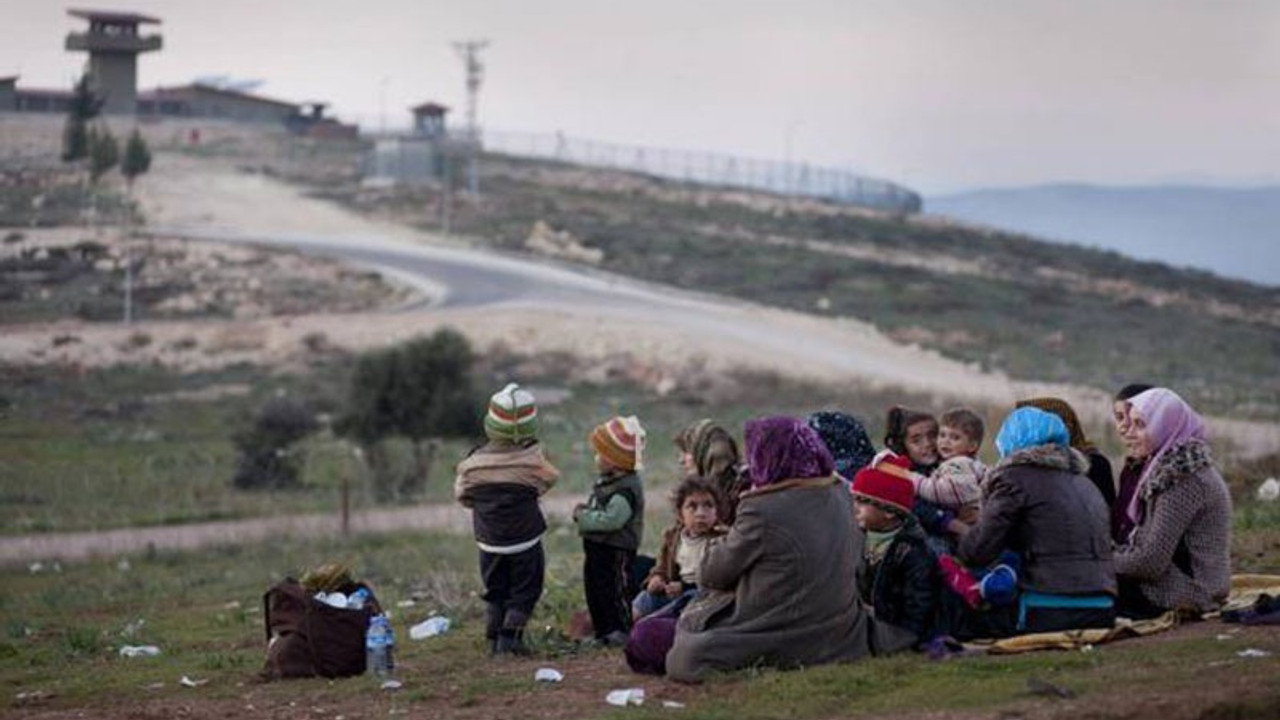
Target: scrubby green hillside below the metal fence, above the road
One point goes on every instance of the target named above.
(1037, 311)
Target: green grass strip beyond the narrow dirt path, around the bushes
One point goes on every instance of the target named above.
(97, 450)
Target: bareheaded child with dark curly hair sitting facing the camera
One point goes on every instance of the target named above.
(675, 577)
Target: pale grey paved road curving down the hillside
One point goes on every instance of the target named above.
(766, 339)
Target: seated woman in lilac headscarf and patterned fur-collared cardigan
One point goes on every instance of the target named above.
(1178, 555)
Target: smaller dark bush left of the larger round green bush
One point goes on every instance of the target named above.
(264, 459)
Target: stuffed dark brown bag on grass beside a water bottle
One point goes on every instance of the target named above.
(307, 639)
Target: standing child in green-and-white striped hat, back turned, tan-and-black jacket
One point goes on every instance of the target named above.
(501, 482)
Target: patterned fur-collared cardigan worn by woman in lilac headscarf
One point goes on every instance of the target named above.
(1180, 552)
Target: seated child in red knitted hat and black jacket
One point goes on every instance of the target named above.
(899, 581)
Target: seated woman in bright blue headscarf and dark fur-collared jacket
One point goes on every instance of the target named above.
(1039, 504)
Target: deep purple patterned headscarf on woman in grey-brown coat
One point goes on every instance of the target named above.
(781, 449)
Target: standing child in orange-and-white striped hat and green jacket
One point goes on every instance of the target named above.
(612, 527)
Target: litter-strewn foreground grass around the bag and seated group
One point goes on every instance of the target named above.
(203, 610)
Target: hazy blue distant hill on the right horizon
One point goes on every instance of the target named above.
(1228, 231)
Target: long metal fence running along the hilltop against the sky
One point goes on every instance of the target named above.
(711, 168)
